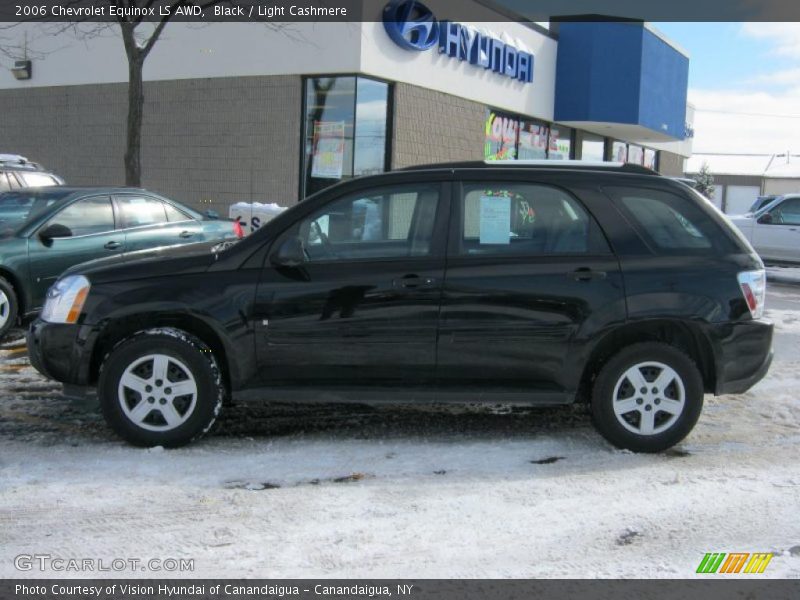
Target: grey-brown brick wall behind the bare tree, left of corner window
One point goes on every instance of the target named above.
(206, 142)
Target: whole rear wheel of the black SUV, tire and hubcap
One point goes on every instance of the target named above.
(647, 397)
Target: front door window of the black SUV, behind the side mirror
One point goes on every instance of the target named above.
(384, 223)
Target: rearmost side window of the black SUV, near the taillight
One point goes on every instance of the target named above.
(670, 223)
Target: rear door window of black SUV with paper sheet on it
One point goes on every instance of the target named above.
(525, 219)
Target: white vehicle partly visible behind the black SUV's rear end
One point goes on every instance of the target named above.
(774, 231)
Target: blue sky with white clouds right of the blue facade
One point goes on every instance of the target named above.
(744, 79)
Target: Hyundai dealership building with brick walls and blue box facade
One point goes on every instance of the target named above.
(271, 113)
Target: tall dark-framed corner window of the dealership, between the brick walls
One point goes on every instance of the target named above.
(345, 130)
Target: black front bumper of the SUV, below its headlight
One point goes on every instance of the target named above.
(61, 352)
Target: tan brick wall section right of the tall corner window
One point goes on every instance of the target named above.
(431, 127)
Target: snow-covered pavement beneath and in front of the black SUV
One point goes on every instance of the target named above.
(361, 492)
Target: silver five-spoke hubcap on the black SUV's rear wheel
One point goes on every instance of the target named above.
(648, 398)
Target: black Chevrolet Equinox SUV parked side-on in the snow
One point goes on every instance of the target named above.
(513, 283)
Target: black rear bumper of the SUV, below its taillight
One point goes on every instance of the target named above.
(744, 355)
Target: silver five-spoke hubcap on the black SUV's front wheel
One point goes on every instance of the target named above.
(157, 392)
